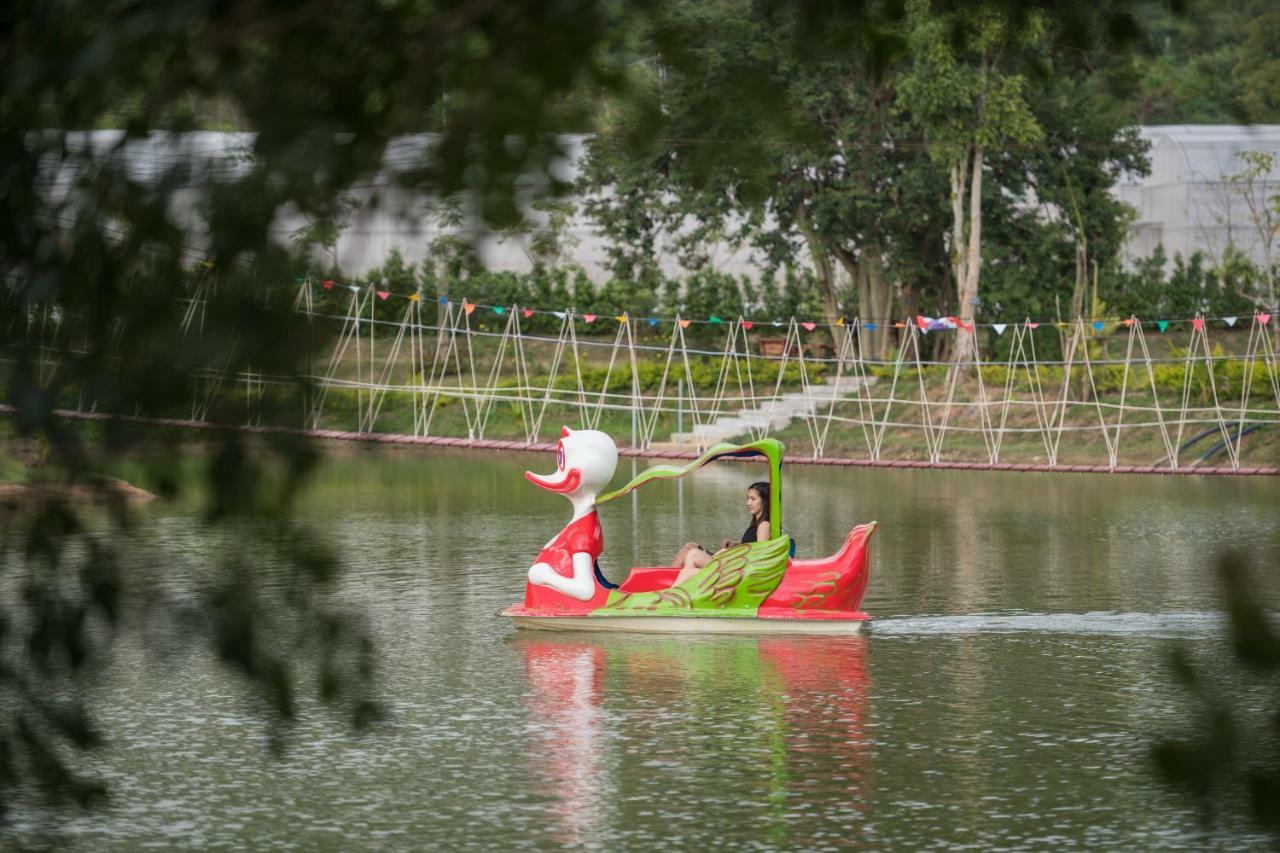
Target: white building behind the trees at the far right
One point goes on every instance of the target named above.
(1188, 203)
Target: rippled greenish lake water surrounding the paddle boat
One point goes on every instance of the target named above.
(1007, 696)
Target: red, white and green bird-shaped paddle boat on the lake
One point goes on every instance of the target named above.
(752, 589)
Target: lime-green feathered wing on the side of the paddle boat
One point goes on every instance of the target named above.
(735, 583)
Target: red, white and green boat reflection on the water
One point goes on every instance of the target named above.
(780, 720)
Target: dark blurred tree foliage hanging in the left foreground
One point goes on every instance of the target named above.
(324, 88)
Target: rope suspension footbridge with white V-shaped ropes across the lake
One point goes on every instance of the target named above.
(438, 375)
